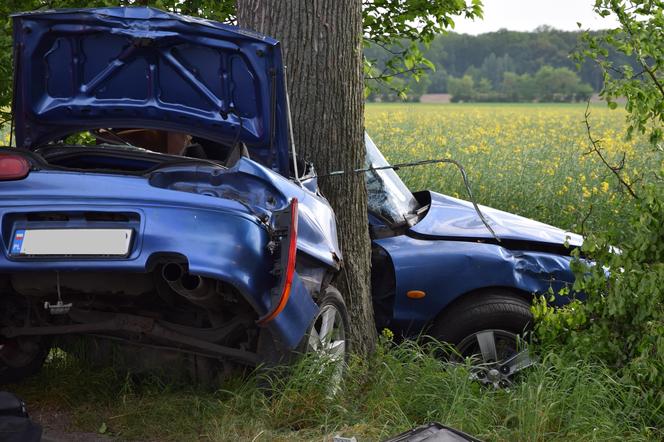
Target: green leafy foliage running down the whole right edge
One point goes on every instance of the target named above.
(621, 321)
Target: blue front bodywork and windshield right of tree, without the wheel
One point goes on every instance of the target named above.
(438, 246)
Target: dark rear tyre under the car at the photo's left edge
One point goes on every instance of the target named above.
(21, 358)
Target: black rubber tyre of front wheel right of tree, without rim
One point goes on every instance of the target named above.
(498, 310)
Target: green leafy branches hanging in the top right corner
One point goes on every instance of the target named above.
(639, 36)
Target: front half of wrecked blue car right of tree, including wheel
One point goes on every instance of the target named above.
(438, 269)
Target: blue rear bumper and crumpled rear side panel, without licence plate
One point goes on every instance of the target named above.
(221, 238)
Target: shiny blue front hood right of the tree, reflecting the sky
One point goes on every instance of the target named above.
(454, 218)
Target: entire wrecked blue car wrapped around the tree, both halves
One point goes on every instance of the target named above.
(151, 202)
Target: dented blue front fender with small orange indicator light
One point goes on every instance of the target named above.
(445, 270)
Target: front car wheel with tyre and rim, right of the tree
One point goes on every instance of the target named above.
(489, 328)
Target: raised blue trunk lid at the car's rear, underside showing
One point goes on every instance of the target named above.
(142, 67)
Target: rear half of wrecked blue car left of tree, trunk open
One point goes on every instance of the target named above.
(148, 200)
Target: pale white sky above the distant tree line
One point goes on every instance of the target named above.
(526, 15)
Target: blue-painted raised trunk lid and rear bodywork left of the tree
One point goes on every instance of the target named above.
(140, 67)
